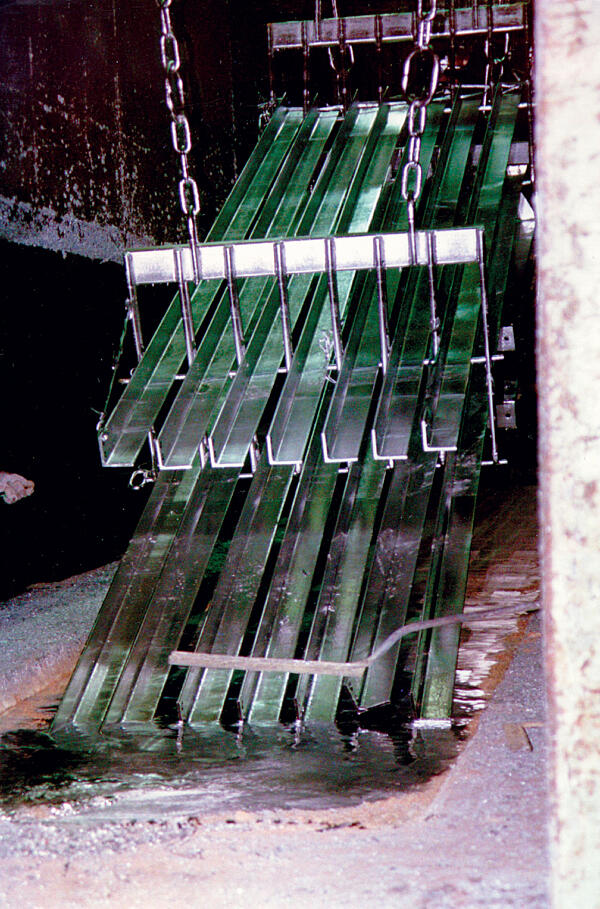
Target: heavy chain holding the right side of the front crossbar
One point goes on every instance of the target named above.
(419, 82)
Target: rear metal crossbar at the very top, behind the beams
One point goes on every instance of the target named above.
(394, 27)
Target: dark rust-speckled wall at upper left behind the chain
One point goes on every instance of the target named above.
(86, 163)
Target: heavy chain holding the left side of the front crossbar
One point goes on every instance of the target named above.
(189, 197)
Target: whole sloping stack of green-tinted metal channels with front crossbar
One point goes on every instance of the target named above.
(299, 408)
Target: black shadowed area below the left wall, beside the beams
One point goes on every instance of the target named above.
(62, 318)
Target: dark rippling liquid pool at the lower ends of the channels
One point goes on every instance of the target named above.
(128, 775)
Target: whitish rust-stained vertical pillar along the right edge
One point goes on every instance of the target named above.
(568, 170)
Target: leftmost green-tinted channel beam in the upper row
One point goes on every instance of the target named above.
(125, 431)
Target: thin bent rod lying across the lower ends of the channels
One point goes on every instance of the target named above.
(353, 668)
